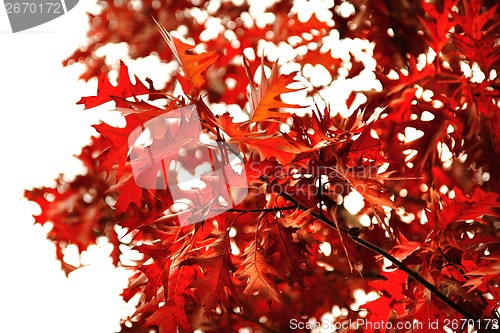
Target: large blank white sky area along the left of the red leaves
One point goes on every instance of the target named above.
(41, 129)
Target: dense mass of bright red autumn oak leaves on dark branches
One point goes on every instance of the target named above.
(291, 251)
